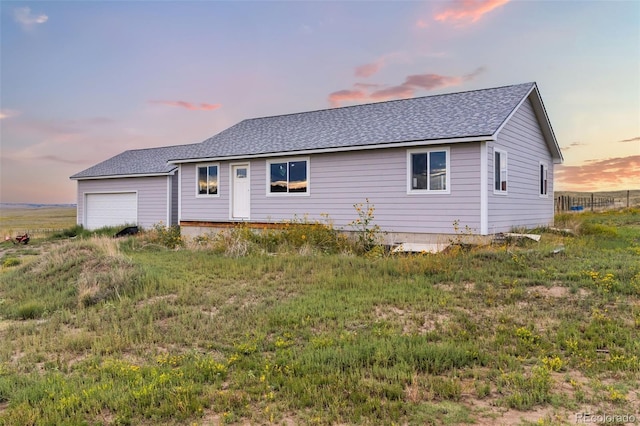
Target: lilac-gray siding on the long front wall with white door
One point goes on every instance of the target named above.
(339, 180)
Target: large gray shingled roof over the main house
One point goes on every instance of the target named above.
(473, 114)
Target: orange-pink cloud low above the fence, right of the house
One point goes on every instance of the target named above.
(611, 173)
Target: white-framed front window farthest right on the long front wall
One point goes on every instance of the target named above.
(429, 171)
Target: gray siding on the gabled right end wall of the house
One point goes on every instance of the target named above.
(522, 206)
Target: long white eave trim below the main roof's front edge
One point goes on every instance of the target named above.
(339, 149)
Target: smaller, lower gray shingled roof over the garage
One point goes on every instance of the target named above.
(135, 162)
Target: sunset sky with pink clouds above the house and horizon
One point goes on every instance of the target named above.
(82, 81)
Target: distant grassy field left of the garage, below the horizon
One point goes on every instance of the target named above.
(37, 221)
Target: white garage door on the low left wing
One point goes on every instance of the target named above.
(111, 209)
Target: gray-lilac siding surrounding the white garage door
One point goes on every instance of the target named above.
(152, 196)
